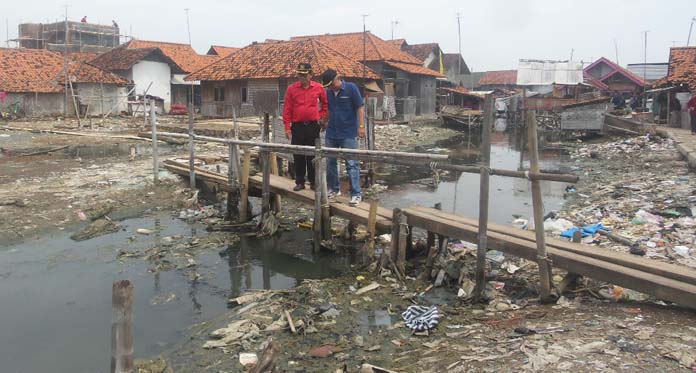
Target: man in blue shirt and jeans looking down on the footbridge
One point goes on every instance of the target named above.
(346, 123)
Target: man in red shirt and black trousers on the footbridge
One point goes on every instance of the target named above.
(305, 105)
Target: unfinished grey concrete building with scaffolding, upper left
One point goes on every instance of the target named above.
(70, 36)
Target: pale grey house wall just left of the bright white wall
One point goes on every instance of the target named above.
(99, 99)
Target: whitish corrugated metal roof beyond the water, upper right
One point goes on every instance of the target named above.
(544, 72)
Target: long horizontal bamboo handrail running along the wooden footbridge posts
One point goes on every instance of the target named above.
(403, 158)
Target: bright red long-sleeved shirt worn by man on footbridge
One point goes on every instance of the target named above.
(304, 104)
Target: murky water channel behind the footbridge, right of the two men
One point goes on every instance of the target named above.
(460, 193)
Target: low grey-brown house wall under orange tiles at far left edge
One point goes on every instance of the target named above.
(37, 104)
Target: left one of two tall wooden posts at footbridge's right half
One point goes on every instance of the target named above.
(483, 197)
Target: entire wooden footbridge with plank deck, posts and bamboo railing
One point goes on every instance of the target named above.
(663, 281)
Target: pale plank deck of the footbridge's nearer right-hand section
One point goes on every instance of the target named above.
(663, 281)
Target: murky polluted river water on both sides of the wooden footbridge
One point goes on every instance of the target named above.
(56, 314)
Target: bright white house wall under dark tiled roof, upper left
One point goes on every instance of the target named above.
(159, 74)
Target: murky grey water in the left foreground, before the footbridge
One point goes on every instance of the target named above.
(55, 308)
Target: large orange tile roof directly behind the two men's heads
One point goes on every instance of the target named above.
(279, 60)
